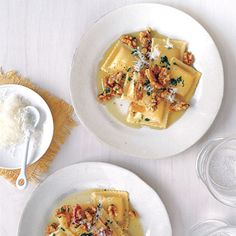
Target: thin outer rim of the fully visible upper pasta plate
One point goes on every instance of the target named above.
(115, 145)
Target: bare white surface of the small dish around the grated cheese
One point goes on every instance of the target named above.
(12, 159)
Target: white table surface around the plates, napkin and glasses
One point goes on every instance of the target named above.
(38, 38)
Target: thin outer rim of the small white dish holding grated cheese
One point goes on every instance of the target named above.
(51, 117)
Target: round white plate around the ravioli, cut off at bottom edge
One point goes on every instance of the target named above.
(83, 176)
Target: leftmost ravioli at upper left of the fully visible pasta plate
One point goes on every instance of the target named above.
(119, 59)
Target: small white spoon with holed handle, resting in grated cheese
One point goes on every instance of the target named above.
(31, 117)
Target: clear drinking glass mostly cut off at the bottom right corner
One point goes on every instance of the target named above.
(213, 228)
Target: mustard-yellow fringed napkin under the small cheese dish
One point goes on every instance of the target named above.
(62, 114)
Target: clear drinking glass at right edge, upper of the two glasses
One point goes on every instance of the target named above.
(216, 167)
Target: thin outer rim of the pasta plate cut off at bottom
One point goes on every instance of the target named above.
(94, 163)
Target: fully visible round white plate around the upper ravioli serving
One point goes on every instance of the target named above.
(147, 142)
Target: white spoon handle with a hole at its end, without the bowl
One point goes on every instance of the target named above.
(22, 182)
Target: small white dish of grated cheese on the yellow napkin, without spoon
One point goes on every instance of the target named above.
(13, 100)
